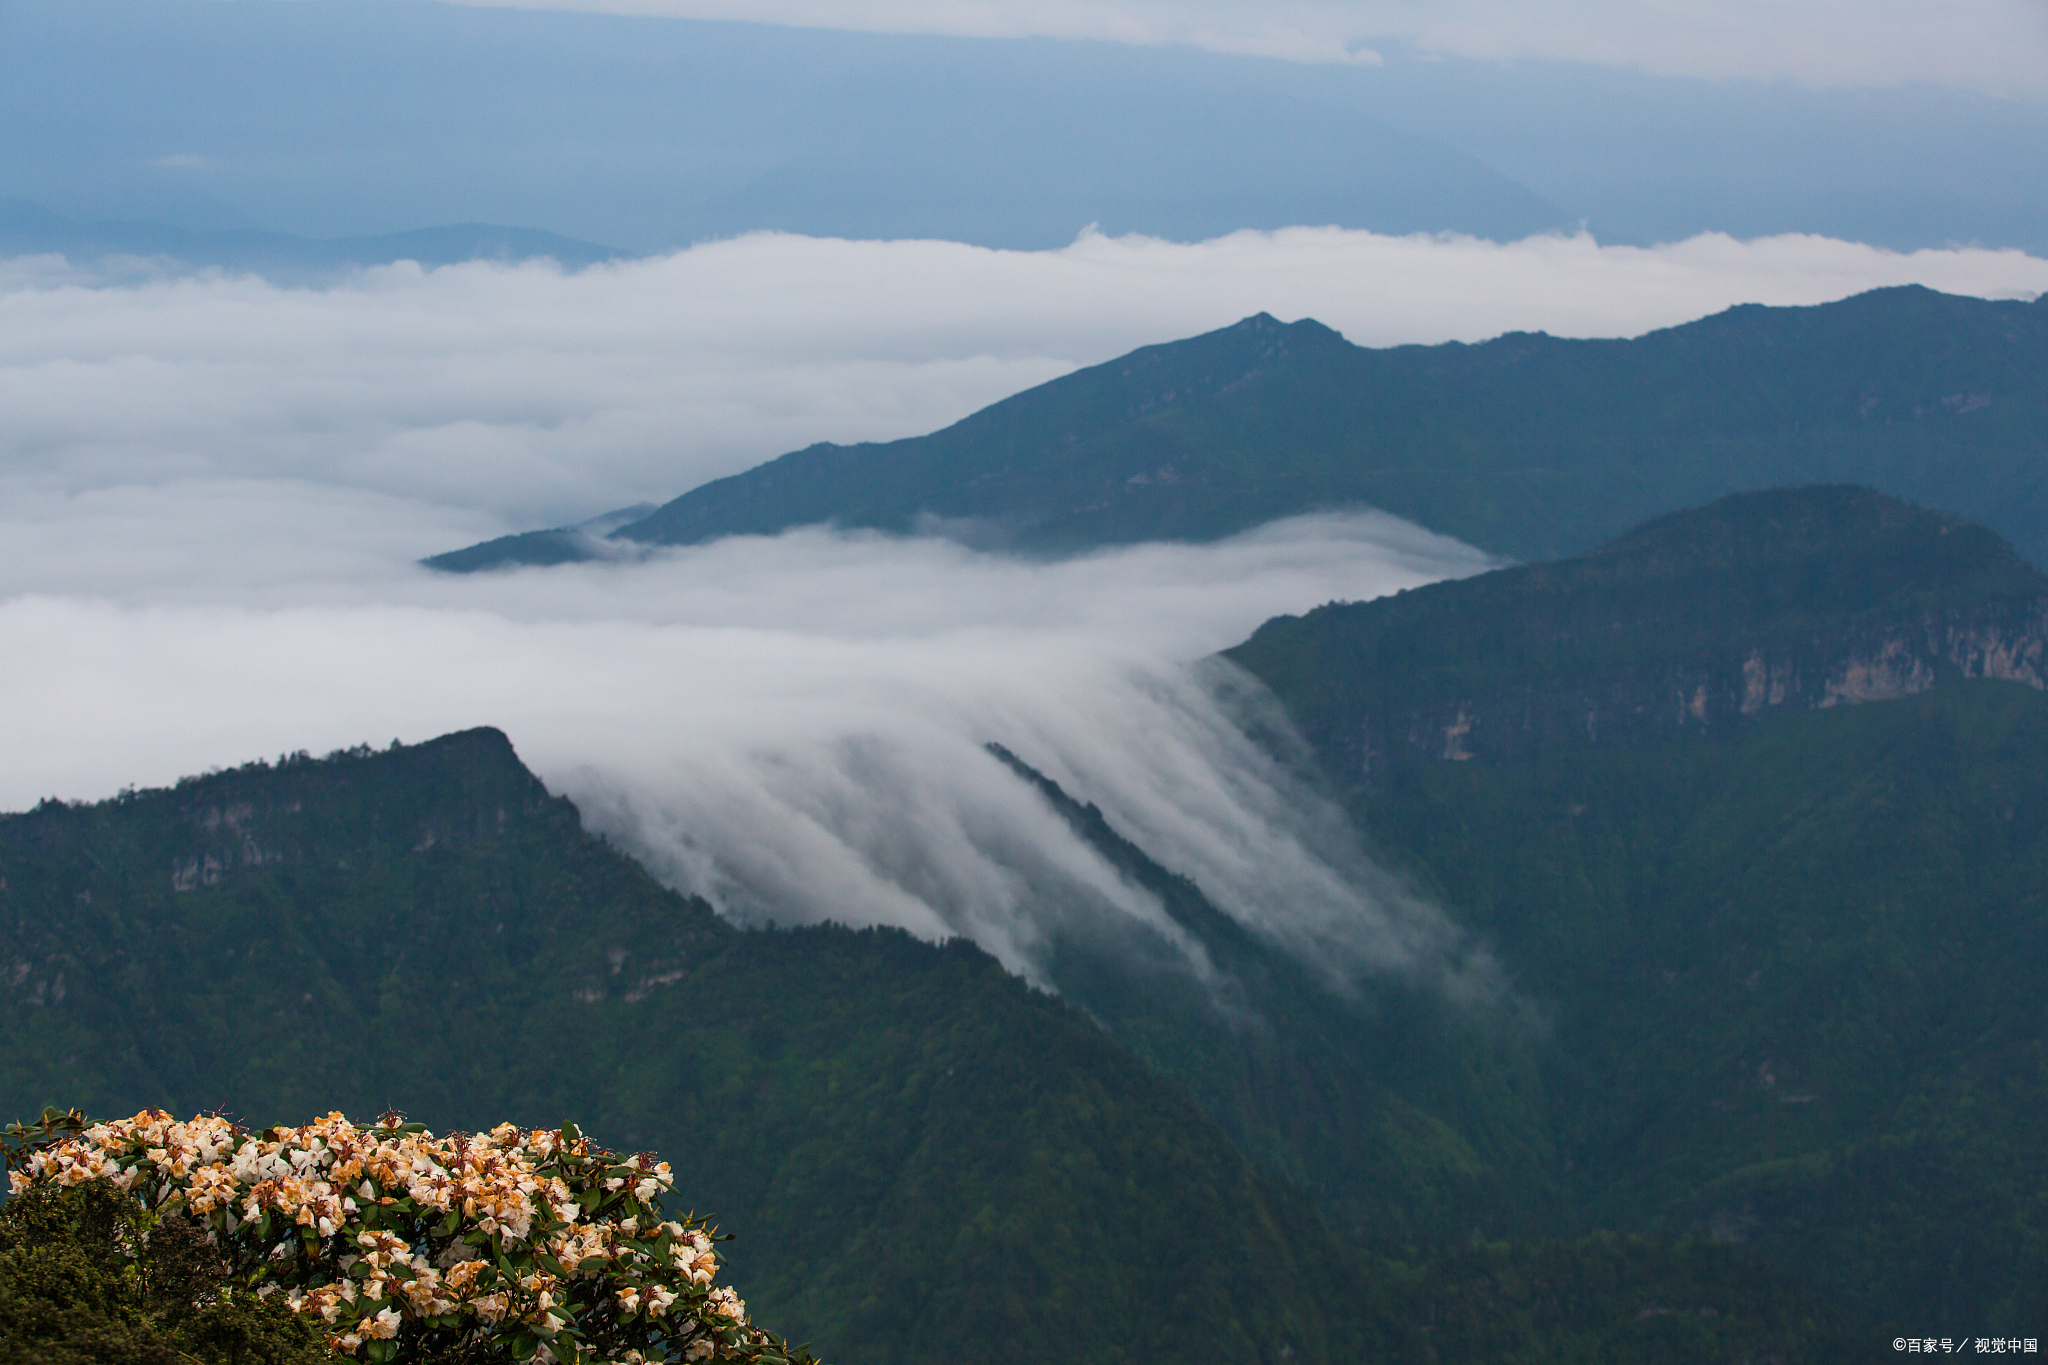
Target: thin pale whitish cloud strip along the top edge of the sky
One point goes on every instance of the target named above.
(1994, 46)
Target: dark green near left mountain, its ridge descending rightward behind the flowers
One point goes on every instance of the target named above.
(925, 1159)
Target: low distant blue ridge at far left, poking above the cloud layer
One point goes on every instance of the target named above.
(30, 230)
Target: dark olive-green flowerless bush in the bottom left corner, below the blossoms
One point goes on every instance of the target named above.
(91, 1278)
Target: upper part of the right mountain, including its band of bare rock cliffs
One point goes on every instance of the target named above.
(1766, 603)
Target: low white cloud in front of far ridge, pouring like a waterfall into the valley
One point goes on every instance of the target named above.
(792, 725)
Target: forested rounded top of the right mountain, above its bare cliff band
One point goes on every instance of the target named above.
(1748, 572)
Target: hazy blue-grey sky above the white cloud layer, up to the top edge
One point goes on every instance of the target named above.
(644, 132)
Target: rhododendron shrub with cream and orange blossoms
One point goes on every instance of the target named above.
(529, 1245)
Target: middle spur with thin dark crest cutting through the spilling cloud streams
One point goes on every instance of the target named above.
(1402, 1114)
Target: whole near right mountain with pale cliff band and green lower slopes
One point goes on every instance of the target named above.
(1754, 805)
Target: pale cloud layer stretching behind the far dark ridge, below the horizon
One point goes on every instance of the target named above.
(167, 425)
